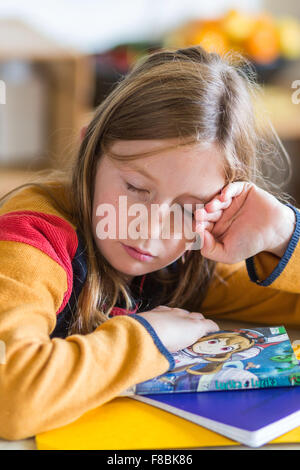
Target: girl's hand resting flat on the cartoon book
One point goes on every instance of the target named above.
(178, 328)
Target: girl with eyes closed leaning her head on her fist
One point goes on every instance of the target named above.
(84, 317)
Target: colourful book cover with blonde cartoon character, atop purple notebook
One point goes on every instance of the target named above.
(229, 360)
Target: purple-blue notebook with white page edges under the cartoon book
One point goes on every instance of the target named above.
(252, 417)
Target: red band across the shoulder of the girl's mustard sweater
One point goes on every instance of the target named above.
(49, 233)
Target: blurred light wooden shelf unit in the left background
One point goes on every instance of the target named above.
(69, 76)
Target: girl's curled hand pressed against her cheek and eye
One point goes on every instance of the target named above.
(246, 220)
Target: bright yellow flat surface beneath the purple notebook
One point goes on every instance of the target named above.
(125, 423)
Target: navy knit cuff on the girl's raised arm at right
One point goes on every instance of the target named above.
(283, 261)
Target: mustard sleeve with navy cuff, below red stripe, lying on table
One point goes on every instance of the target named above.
(46, 383)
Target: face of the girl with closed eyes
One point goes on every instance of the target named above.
(186, 175)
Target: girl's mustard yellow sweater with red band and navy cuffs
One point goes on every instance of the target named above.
(48, 379)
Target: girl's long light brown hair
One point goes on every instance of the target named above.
(187, 94)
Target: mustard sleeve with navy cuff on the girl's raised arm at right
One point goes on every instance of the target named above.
(264, 289)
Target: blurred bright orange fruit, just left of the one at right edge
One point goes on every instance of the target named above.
(263, 45)
